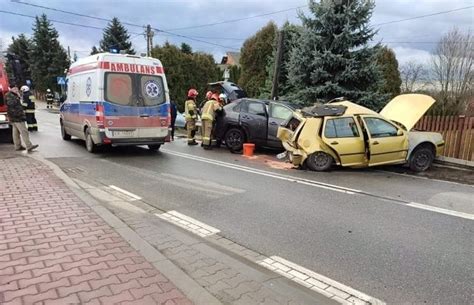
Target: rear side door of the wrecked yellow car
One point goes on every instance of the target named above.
(345, 137)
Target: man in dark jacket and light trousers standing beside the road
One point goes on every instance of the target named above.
(17, 117)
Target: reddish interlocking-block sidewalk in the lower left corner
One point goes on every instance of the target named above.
(55, 250)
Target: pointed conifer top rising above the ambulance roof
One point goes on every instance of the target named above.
(116, 37)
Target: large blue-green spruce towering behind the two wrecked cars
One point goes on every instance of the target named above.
(332, 57)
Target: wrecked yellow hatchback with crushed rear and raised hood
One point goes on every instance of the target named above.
(346, 134)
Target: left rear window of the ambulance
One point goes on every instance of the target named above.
(118, 88)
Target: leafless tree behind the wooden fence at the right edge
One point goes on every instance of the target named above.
(453, 70)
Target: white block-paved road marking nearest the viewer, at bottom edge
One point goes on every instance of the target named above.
(317, 282)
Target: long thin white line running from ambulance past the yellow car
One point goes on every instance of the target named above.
(267, 173)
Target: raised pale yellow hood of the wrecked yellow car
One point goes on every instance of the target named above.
(407, 109)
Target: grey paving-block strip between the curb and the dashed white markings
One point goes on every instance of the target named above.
(231, 278)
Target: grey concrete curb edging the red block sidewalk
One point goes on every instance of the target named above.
(190, 288)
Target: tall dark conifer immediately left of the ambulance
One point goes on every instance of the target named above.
(48, 59)
